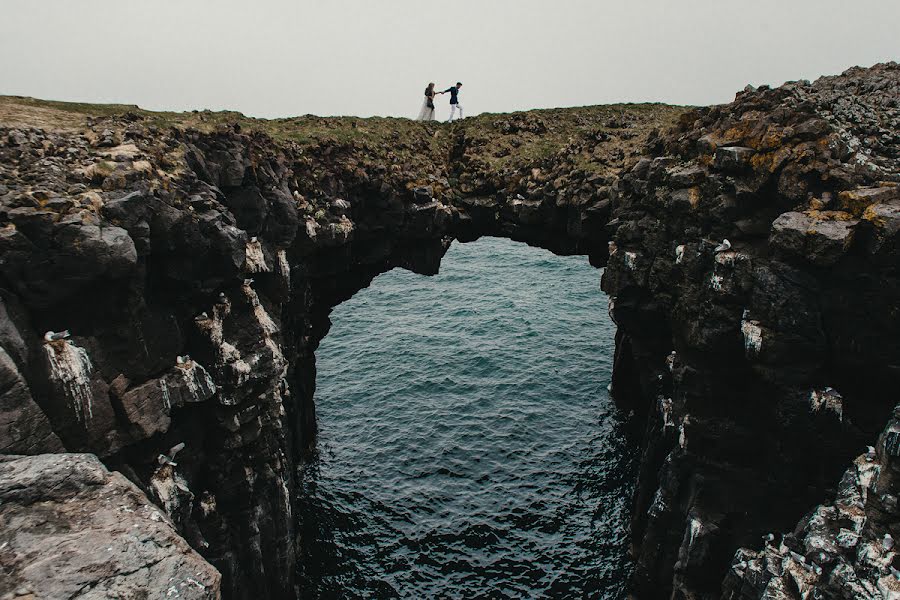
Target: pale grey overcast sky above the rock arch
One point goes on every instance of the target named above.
(274, 58)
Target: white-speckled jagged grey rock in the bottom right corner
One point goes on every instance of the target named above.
(843, 549)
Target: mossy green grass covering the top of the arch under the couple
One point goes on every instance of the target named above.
(567, 134)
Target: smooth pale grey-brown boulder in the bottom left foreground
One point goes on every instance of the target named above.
(71, 529)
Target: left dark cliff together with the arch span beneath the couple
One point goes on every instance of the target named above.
(165, 290)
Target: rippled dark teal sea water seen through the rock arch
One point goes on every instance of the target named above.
(468, 448)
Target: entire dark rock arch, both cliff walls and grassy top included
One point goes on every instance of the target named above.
(194, 259)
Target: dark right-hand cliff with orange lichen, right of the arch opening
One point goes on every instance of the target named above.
(765, 363)
